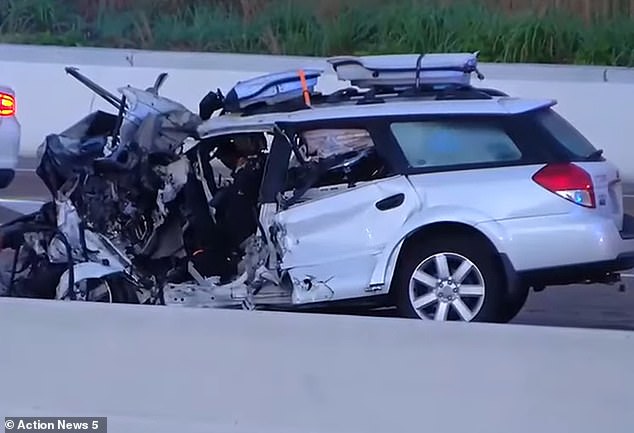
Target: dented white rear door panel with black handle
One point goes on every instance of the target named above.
(336, 242)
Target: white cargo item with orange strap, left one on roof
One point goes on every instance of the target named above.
(271, 89)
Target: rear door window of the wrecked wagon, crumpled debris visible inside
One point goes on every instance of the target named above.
(335, 156)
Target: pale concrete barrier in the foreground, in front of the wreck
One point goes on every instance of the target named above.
(161, 369)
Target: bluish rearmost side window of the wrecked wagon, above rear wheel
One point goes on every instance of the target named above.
(428, 144)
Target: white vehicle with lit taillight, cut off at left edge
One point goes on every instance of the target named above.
(10, 131)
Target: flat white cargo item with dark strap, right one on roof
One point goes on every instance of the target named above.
(402, 70)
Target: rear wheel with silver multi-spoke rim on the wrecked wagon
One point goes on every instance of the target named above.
(468, 285)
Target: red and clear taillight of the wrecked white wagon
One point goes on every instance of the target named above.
(568, 181)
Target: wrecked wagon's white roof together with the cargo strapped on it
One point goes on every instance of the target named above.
(381, 86)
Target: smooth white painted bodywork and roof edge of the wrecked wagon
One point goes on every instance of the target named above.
(504, 203)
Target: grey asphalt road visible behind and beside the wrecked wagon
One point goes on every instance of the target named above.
(585, 306)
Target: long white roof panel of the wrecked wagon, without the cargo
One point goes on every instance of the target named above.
(504, 105)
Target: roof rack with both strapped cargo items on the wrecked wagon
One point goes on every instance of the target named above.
(374, 79)
